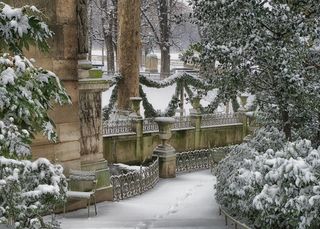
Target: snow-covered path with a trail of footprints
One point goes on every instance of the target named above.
(184, 202)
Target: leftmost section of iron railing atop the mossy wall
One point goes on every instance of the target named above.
(120, 126)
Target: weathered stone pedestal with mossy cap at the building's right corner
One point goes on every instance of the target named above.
(91, 134)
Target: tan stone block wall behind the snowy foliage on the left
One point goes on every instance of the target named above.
(62, 59)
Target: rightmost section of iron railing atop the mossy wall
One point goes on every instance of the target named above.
(219, 119)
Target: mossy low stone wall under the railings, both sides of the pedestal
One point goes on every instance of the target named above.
(122, 148)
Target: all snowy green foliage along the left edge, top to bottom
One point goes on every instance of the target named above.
(28, 190)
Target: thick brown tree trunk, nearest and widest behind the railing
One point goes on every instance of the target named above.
(128, 51)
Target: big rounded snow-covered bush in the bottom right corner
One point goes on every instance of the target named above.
(271, 183)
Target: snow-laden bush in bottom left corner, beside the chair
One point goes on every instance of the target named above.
(28, 191)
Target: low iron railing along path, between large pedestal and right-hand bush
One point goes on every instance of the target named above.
(200, 159)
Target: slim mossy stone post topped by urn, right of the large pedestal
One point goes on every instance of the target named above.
(196, 121)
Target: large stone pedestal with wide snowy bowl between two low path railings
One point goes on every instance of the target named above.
(165, 152)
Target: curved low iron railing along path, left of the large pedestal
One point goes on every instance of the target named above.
(134, 183)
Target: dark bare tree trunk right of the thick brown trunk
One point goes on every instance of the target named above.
(164, 38)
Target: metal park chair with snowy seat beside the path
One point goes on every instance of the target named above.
(80, 178)
